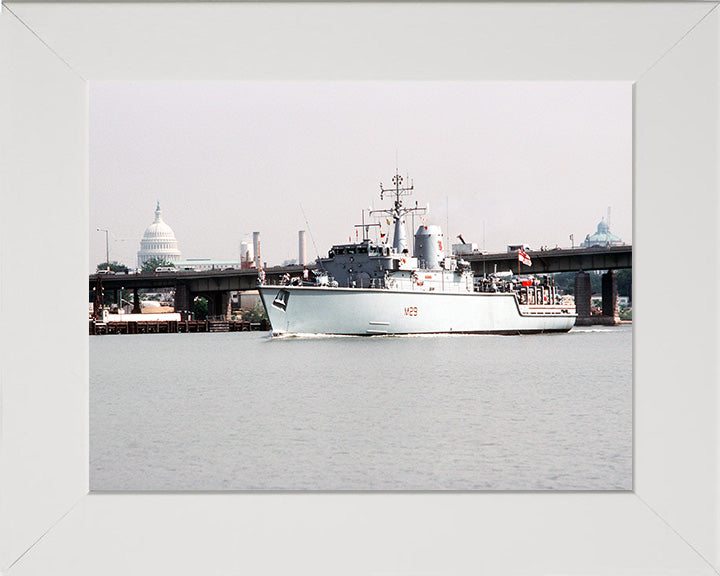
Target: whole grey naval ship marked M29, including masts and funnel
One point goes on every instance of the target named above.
(373, 288)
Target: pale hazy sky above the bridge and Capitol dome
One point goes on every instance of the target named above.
(531, 162)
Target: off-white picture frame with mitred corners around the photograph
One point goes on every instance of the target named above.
(668, 524)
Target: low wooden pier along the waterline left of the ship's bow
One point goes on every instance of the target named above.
(175, 326)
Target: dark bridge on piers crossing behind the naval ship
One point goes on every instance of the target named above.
(216, 285)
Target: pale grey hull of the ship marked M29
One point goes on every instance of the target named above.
(356, 311)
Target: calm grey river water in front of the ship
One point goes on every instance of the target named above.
(245, 411)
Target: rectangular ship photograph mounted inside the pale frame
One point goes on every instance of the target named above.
(360, 286)
